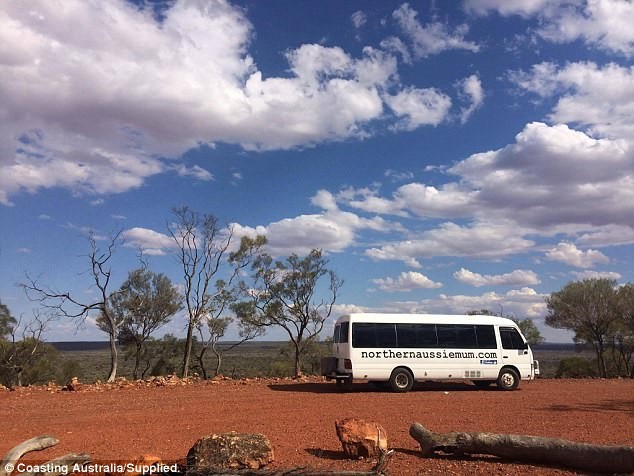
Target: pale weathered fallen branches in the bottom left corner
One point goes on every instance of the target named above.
(57, 466)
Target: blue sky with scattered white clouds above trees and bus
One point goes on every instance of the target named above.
(447, 156)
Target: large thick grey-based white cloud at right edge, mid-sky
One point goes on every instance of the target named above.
(553, 178)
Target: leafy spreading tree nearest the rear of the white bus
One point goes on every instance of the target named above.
(285, 294)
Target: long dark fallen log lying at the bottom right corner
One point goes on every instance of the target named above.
(531, 449)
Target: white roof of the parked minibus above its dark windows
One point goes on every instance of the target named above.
(427, 318)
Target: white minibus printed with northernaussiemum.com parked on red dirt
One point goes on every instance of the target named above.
(400, 349)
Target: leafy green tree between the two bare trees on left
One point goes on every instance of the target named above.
(145, 302)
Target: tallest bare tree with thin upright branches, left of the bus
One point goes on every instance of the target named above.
(202, 245)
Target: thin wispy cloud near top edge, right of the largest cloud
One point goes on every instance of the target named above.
(431, 38)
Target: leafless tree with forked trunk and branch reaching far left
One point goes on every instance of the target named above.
(67, 305)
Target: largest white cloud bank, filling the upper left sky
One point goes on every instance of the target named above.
(145, 90)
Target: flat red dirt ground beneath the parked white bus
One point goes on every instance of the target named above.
(298, 418)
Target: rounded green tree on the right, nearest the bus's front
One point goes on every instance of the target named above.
(589, 308)
